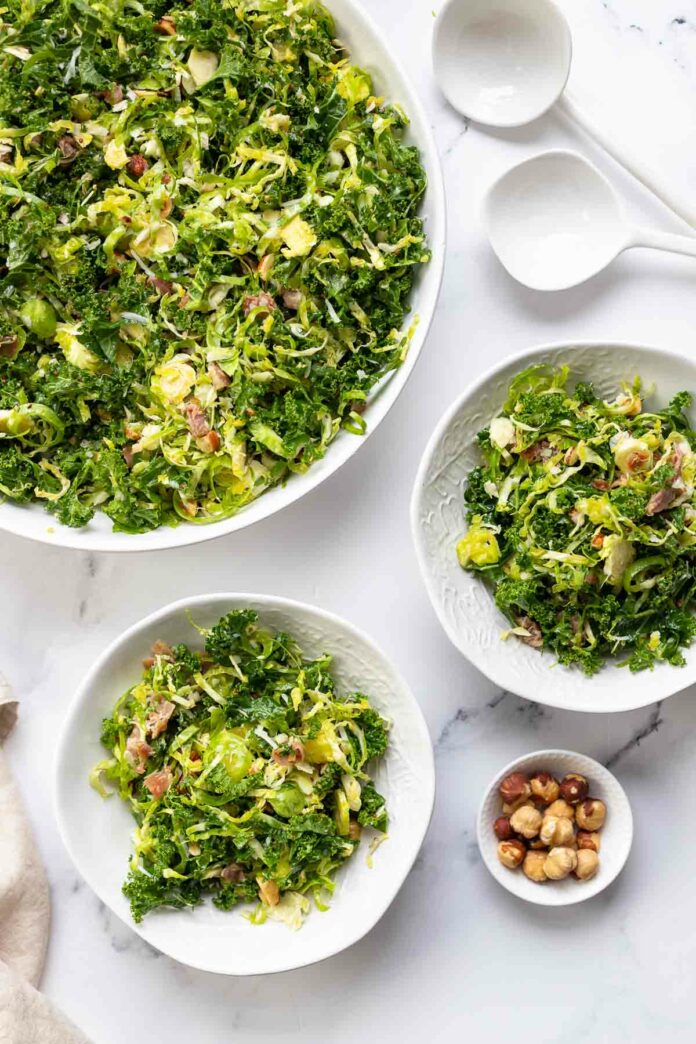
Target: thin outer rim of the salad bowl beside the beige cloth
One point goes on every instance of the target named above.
(82, 696)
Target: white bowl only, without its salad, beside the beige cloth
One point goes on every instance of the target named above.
(98, 834)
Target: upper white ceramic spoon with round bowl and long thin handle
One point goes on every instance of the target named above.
(505, 63)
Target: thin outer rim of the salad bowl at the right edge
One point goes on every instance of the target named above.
(491, 671)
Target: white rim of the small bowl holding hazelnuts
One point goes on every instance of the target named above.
(589, 890)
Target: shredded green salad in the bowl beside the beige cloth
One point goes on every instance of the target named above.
(246, 771)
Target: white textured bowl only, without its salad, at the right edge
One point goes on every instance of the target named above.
(463, 602)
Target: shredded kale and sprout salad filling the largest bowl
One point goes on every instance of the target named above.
(209, 234)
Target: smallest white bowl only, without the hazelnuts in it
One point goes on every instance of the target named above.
(616, 836)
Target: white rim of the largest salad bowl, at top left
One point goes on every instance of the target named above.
(56, 535)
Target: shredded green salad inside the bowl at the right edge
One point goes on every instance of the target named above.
(583, 518)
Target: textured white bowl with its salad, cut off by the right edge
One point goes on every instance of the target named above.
(555, 520)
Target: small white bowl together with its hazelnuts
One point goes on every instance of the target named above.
(556, 827)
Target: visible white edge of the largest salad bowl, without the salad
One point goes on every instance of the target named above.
(370, 51)
